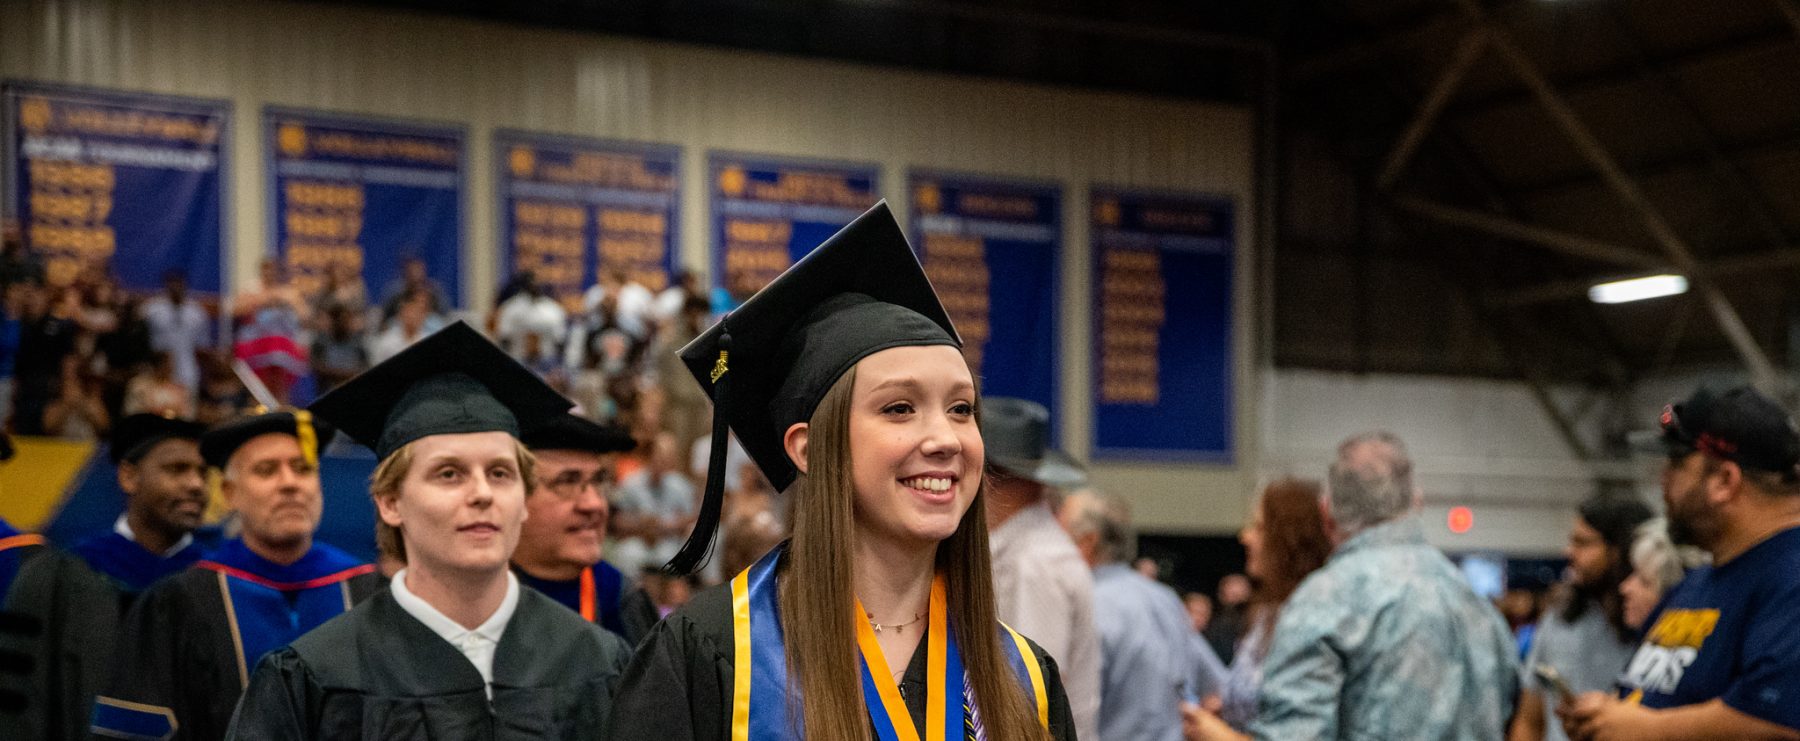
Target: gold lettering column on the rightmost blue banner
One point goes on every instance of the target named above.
(1131, 323)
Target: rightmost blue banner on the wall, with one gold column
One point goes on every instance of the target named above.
(1162, 357)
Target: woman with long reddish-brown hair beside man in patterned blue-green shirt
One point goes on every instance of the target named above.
(1284, 544)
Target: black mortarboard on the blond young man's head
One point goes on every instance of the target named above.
(451, 382)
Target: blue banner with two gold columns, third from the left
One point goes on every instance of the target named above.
(571, 208)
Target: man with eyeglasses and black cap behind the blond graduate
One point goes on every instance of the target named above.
(566, 526)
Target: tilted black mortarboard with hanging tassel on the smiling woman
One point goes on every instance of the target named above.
(769, 362)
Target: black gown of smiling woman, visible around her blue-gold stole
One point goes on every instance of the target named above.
(681, 681)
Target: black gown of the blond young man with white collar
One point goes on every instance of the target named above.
(379, 674)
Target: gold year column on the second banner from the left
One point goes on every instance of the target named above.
(323, 228)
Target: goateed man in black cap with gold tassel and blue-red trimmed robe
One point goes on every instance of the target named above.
(190, 641)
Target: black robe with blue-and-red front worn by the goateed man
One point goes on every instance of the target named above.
(190, 641)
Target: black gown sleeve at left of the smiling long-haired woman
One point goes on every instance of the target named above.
(679, 683)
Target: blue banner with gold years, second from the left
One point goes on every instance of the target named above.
(366, 193)
